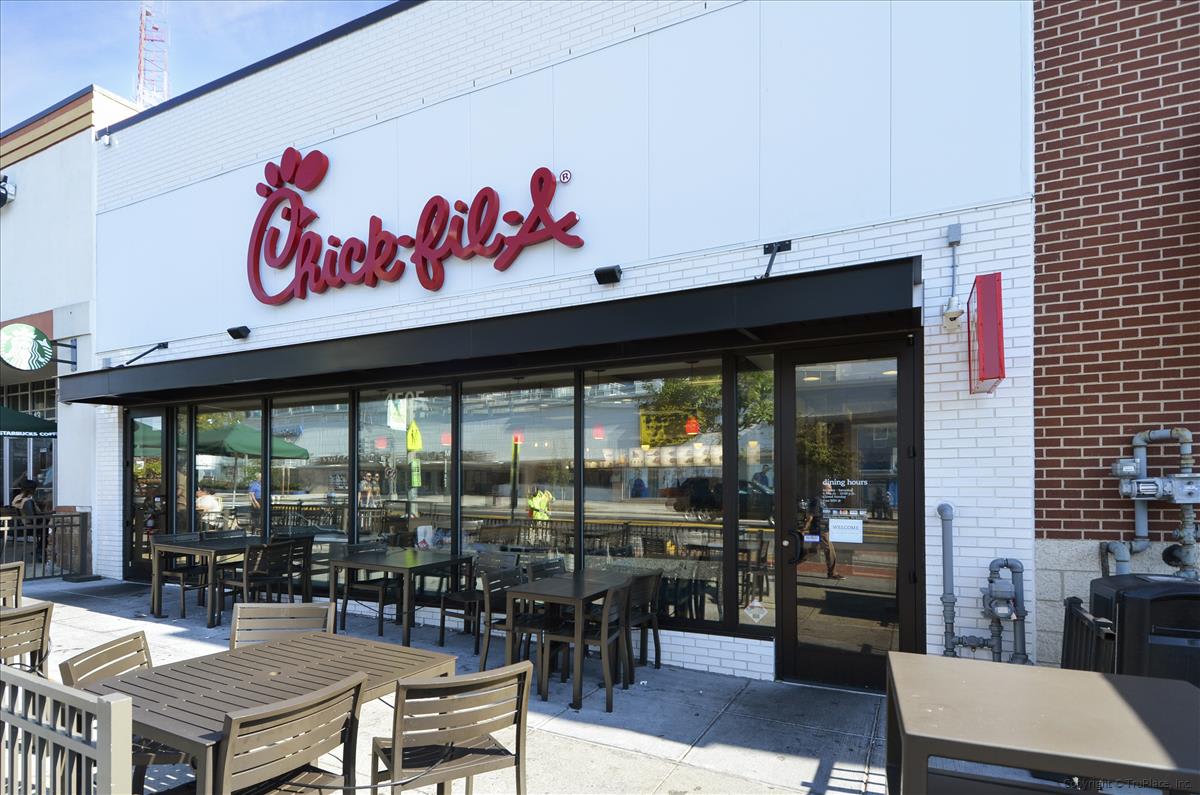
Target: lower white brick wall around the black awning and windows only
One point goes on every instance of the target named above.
(979, 450)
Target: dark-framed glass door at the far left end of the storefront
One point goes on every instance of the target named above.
(146, 500)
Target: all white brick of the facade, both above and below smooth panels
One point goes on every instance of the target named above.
(979, 450)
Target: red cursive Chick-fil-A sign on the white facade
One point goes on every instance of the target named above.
(445, 230)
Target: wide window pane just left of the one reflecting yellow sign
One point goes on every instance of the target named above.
(310, 468)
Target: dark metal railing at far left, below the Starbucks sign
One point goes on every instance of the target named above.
(50, 546)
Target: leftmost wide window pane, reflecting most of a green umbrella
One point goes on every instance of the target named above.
(229, 459)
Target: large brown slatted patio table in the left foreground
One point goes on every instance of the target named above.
(184, 704)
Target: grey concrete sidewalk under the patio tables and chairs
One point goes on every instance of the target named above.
(675, 731)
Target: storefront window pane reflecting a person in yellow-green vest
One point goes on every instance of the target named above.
(518, 459)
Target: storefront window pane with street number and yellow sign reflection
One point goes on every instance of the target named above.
(404, 491)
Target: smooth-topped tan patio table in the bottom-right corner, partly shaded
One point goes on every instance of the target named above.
(1079, 724)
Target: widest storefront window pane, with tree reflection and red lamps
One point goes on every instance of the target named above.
(653, 480)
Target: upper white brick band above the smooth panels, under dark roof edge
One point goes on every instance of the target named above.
(413, 59)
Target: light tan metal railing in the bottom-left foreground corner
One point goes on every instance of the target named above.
(57, 739)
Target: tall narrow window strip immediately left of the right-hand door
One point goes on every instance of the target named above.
(757, 492)
